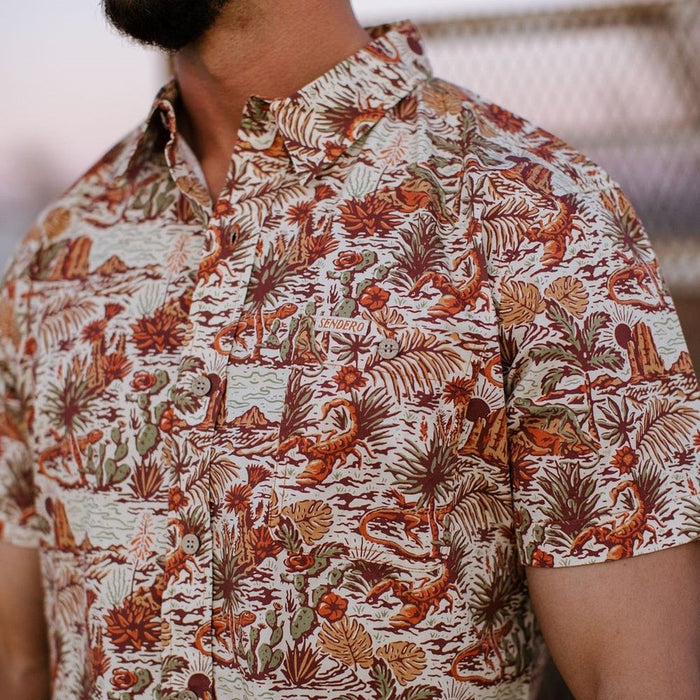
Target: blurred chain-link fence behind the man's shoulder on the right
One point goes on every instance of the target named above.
(619, 82)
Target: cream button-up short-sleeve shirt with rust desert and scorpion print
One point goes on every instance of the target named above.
(301, 442)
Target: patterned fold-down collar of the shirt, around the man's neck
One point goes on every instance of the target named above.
(322, 120)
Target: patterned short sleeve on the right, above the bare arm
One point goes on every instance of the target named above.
(602, 403)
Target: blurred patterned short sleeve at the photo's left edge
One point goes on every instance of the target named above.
(19, 524)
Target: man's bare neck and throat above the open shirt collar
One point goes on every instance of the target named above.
(257, 47)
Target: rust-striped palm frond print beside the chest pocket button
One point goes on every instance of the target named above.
(422, 360)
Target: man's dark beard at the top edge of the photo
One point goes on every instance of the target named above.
(167, 24)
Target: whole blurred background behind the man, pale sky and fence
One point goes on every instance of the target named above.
(619, 79)
